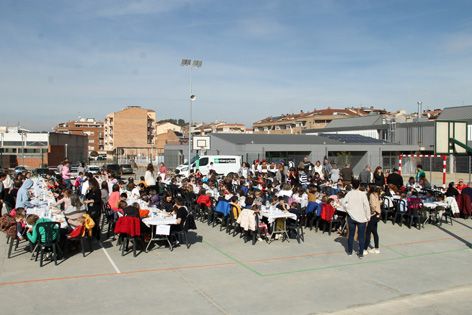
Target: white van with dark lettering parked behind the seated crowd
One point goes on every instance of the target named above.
(222, 164)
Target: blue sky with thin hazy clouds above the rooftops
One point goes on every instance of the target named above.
(64, 59)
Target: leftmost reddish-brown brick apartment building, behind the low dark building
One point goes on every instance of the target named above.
(85, 126)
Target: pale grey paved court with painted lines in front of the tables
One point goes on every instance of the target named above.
(417, 272)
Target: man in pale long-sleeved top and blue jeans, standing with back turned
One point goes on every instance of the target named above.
(357, 206)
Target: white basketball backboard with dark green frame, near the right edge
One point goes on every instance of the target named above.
(446, 130)
